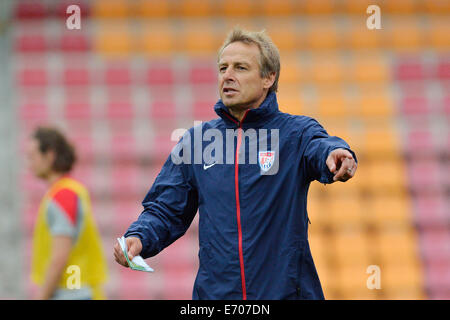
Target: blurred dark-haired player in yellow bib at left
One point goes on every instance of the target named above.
(68, 261)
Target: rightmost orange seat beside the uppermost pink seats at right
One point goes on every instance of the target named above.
(369, 68)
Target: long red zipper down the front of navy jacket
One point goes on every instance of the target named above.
(238, 207)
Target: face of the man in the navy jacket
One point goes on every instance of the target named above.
(240, 82)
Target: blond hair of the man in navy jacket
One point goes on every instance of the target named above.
(269, 55)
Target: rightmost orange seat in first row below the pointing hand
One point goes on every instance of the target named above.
(388, 211)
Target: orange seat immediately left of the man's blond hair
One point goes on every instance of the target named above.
(198, 38)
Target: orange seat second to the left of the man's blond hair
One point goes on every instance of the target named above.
(158, 39)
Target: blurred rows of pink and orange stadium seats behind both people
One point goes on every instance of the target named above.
(137, 70)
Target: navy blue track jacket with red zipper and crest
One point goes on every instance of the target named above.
(253, 223)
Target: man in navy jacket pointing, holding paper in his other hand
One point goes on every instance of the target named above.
(253, 227)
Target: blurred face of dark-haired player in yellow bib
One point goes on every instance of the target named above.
(39, 163)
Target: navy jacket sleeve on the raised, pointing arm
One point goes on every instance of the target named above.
(316, 145)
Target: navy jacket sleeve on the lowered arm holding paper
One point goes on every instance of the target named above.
(169, 208)
